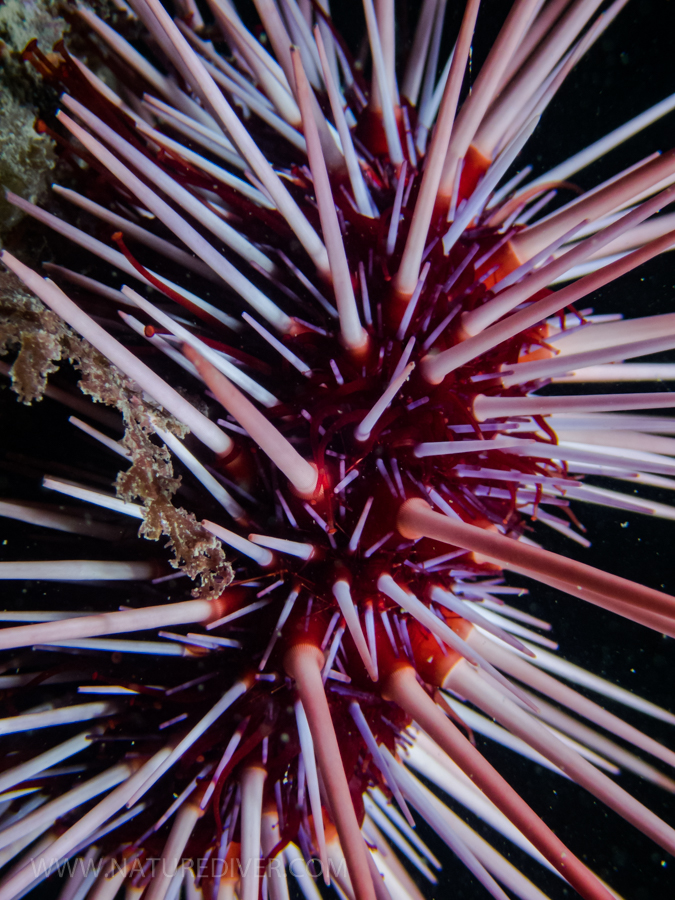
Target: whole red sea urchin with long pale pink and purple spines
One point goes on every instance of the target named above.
(409, 456)
